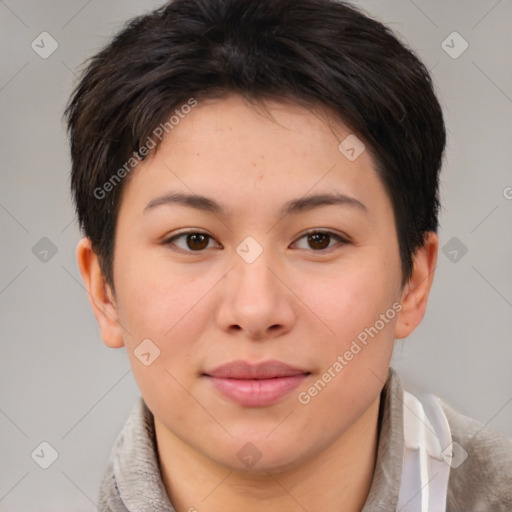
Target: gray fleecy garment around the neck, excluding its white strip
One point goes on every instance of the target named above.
(482, 483)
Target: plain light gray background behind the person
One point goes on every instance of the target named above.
(60, 384)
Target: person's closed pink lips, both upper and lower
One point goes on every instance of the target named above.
(256, 385)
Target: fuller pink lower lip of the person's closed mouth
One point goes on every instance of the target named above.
(257, 392)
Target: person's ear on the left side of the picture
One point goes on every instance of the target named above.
(100, 295)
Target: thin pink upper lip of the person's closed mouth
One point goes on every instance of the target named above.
(263, 370)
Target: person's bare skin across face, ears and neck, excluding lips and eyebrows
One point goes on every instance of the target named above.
(298, 302)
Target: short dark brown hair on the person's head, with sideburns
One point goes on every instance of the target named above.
(313, 52)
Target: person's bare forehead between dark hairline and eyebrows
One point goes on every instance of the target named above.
(227, 147)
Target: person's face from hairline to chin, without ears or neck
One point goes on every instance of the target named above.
(268, 275)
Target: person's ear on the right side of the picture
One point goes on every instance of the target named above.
(416, 291)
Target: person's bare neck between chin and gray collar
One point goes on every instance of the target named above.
(342, 473)
